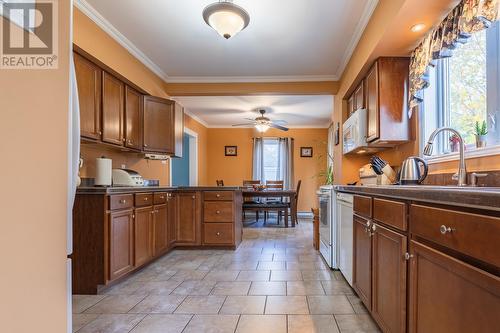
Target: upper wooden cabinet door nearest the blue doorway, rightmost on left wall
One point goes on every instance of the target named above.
(158, 125)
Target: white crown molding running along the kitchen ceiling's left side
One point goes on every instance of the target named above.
(105, 25)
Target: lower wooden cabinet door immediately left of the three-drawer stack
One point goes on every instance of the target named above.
(188, 218)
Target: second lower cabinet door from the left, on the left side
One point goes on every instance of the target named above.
(143, 235)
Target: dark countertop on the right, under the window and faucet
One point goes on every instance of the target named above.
(474, 197)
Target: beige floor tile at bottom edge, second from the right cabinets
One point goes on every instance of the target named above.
(312, 324)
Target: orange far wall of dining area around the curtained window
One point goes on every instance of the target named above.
(233, 170)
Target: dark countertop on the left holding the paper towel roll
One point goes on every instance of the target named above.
(142, 189)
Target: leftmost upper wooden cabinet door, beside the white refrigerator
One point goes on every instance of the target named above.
(88, 79)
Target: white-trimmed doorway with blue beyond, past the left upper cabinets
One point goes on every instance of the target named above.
(184, 170)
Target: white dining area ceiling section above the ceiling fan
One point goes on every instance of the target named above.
(224, 111)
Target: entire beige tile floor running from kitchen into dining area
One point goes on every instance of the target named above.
(274, 282)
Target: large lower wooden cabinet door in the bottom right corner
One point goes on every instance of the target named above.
(448, 295)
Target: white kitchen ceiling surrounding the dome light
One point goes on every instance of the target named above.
(286, 39)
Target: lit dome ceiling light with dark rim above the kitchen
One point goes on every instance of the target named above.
(226, 18)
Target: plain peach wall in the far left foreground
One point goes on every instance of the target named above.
(33, 145)
